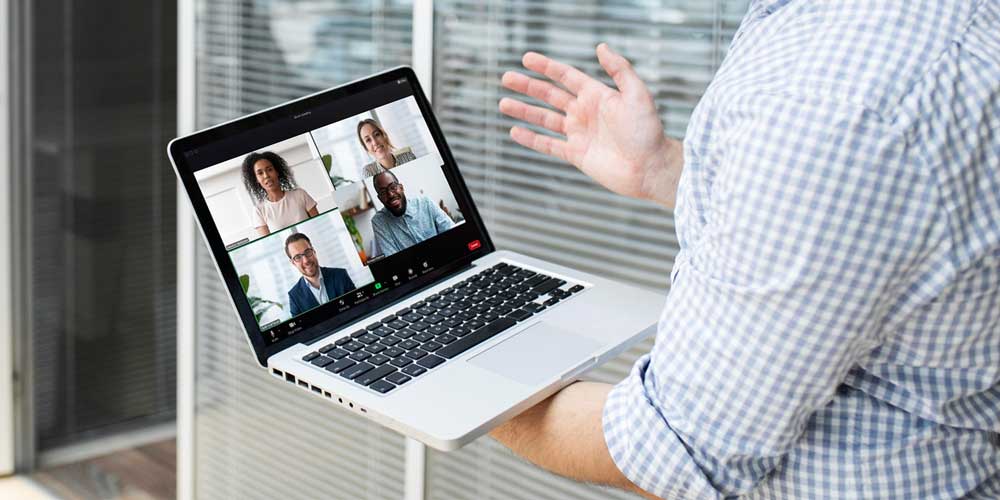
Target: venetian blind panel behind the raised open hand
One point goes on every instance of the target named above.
(546, 208)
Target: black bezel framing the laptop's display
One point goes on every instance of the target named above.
(178, 148)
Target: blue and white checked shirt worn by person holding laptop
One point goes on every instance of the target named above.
(833, 325)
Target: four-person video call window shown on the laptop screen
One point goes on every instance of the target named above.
(327, 216)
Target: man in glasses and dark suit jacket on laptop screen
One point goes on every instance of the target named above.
(318, 284)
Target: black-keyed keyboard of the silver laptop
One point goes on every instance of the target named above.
(421, 337)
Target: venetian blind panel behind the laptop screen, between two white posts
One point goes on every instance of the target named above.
(255, 438)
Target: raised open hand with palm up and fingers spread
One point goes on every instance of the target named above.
(614, 136)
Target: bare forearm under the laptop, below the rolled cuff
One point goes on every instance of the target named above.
(563, 434)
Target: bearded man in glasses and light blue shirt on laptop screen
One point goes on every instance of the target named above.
(402, 223)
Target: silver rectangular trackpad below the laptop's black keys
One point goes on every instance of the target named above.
(537, 354)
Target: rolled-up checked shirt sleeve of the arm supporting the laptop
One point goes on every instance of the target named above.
(816, 211)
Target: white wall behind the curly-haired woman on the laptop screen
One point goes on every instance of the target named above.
(230, 204)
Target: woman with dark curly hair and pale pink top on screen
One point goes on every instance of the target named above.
(279, 203)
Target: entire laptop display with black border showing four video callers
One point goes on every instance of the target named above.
(319, 210)
